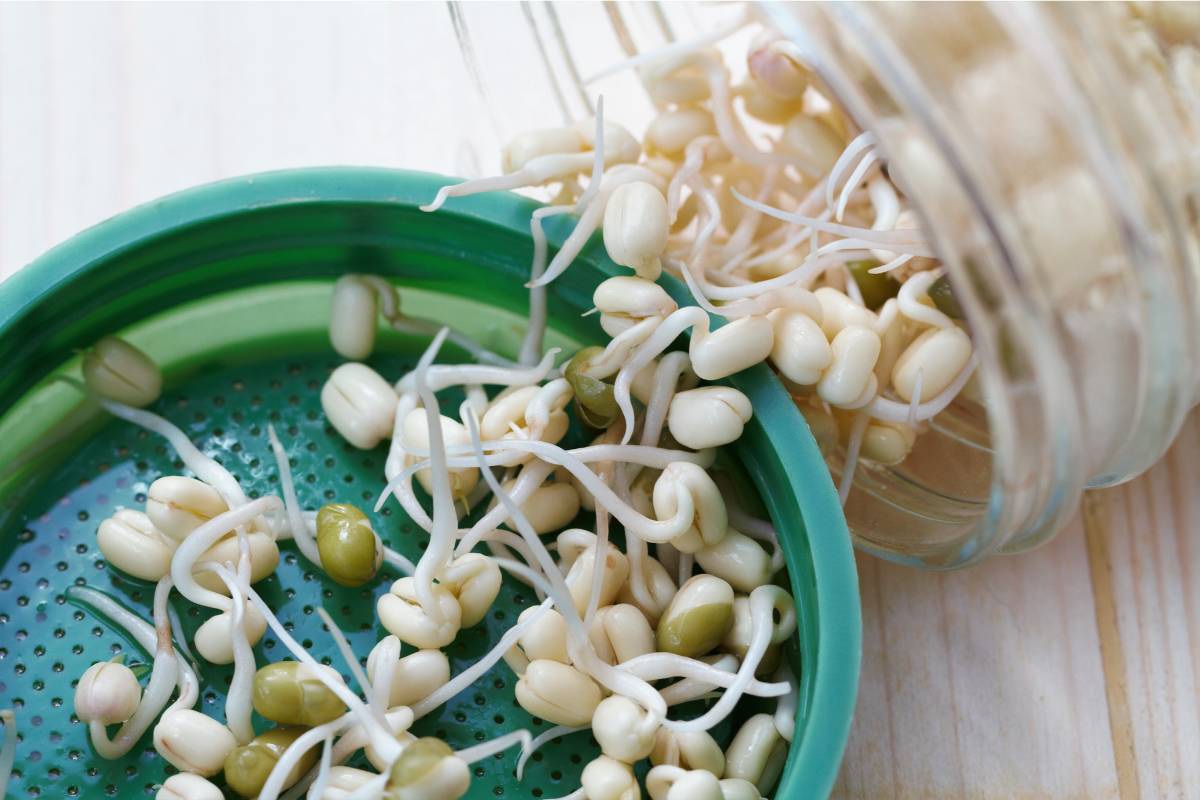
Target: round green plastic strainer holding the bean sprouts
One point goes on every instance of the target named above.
(227, 287)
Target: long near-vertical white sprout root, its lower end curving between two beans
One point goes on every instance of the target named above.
(446, 520)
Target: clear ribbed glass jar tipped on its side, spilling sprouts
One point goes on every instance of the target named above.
(1053, 153)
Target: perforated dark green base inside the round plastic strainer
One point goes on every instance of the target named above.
(47, 641)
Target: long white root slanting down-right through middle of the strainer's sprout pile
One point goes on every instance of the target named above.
(579, 642)
